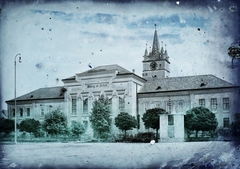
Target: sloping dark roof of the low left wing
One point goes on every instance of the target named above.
(43, 93)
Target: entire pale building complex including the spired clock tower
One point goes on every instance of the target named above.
(127, 92)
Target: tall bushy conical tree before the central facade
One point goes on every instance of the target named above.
(100, 116)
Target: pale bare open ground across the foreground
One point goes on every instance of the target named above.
(121, 155)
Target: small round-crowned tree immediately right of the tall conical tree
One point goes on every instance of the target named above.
(125, 122)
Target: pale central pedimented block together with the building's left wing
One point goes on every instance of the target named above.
(79, 92)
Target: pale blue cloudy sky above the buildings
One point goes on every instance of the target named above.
(58, 39)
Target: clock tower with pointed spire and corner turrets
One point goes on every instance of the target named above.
(156, 63)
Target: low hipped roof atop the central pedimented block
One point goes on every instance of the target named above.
(104, 70)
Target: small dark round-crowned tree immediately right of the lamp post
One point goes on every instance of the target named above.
(30, 125)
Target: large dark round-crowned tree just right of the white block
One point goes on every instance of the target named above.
(200, 119)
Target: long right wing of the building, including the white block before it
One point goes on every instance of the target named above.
(176, 95)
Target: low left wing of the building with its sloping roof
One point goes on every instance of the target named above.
(37, 103)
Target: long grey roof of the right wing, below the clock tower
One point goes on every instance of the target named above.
(184, 83)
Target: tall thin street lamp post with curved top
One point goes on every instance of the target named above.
(15, 122)
